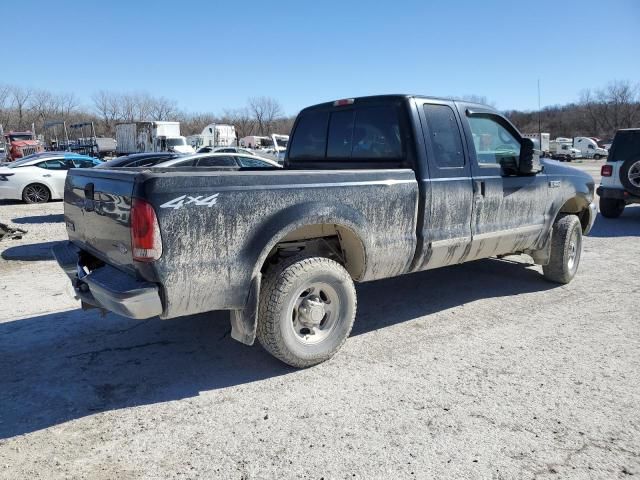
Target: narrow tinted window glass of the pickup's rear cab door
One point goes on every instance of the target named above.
(445, 137)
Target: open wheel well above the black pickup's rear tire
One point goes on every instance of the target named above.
(333, 241)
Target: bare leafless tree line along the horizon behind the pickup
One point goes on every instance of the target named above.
(597, 112)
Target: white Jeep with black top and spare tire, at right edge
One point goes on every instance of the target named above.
(620, 185)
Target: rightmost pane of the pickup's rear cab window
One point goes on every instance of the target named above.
(376, 134)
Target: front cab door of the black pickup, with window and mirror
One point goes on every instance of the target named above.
(509, 210)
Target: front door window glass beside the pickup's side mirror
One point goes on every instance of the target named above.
(493, 143)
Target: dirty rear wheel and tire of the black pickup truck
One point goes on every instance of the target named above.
(307, 309)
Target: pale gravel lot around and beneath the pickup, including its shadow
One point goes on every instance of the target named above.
(481, 370)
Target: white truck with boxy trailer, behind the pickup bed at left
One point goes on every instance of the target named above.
(137, 137)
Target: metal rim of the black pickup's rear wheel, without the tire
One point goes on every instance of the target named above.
(313, 312)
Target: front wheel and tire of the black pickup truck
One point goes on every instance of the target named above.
(566, 250)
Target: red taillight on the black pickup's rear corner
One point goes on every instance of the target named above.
(145, 232)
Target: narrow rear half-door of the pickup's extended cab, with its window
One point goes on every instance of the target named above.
(447, 189)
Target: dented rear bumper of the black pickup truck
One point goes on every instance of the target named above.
(109, 288)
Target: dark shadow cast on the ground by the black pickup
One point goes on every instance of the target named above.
(63, 366)
